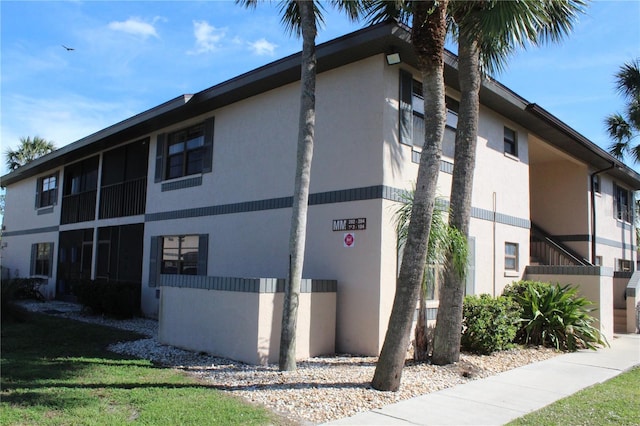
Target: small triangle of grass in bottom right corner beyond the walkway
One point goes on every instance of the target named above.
(614, 402)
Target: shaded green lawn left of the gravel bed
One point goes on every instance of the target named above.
(58, 372)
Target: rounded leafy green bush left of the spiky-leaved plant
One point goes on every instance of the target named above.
(489, 324)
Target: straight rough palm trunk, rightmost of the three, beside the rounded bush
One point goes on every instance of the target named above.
(446, 342)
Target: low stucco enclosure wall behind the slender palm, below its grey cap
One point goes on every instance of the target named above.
(244, 326)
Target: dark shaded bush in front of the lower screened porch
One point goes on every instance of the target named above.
(120, 299)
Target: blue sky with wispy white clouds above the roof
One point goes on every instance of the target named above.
(134, 55)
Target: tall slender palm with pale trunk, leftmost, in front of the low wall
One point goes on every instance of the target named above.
(301, 17)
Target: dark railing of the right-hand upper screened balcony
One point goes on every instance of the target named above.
(123, 199)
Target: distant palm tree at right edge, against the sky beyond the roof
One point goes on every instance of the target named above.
(624, 128)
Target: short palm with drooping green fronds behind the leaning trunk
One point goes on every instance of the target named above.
(443, 239)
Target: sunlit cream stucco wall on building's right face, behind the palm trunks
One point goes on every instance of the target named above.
(501, 184)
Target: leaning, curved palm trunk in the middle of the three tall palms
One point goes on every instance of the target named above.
(428, 34)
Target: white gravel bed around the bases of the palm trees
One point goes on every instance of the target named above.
(321, 390)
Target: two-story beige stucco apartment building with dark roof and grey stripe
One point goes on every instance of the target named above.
(193, 199)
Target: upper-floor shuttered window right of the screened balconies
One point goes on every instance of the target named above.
(185, 152)
